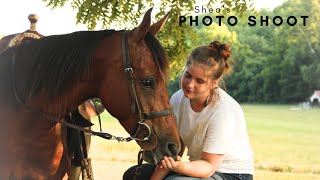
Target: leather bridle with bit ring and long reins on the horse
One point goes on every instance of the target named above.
(135, 103)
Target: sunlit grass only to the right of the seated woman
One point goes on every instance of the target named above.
(284, 140)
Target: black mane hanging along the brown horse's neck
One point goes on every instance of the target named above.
(55, 61)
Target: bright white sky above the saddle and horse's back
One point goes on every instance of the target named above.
(14, 13)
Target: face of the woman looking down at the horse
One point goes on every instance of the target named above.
(196, 83)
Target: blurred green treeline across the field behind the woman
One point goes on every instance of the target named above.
(274, 64)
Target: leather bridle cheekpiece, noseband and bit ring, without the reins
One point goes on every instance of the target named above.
(134, 99)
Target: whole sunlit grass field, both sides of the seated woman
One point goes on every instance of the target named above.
(285, 140)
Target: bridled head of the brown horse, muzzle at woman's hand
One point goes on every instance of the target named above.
(139, 93)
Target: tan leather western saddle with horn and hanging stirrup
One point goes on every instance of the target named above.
(78, 143)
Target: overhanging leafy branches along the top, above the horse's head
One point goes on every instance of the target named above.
(126, 14)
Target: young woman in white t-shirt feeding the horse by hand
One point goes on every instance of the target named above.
(211, 124)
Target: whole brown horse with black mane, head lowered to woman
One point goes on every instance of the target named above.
(42, 80)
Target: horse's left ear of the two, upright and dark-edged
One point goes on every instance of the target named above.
(141, 31)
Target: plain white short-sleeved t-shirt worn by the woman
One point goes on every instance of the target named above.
(220, 128)
